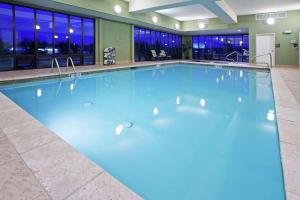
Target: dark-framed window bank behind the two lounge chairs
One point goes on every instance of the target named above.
(146, 40)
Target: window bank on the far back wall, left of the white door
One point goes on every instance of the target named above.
(217, 47)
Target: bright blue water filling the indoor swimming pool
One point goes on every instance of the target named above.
(169, 132)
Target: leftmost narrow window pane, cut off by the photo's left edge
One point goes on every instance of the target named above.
(6, 37)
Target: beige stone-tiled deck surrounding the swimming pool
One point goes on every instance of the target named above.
(36, 164)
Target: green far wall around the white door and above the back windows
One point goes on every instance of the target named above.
(285, 55)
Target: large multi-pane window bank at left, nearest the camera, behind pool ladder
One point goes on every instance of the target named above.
(30, 38)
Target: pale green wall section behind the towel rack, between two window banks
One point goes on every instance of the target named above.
(114, 34)
